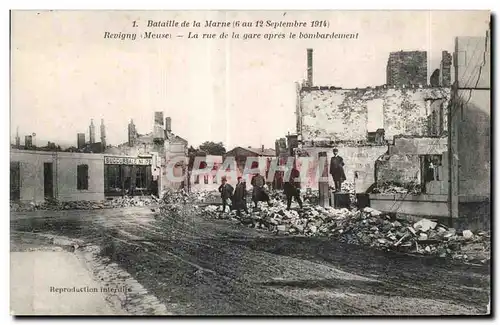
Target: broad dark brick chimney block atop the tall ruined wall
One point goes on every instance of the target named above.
(407, 68)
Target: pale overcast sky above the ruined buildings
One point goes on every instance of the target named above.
(239, 92)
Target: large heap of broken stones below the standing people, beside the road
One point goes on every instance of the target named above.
(368, 227)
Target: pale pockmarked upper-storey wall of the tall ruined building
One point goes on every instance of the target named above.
(342, 114)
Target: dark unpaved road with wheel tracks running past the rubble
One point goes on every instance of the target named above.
(197, 266)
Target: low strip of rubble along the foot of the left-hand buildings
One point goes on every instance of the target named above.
(118, 202)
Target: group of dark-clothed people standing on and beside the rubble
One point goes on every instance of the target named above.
(235, 198)
